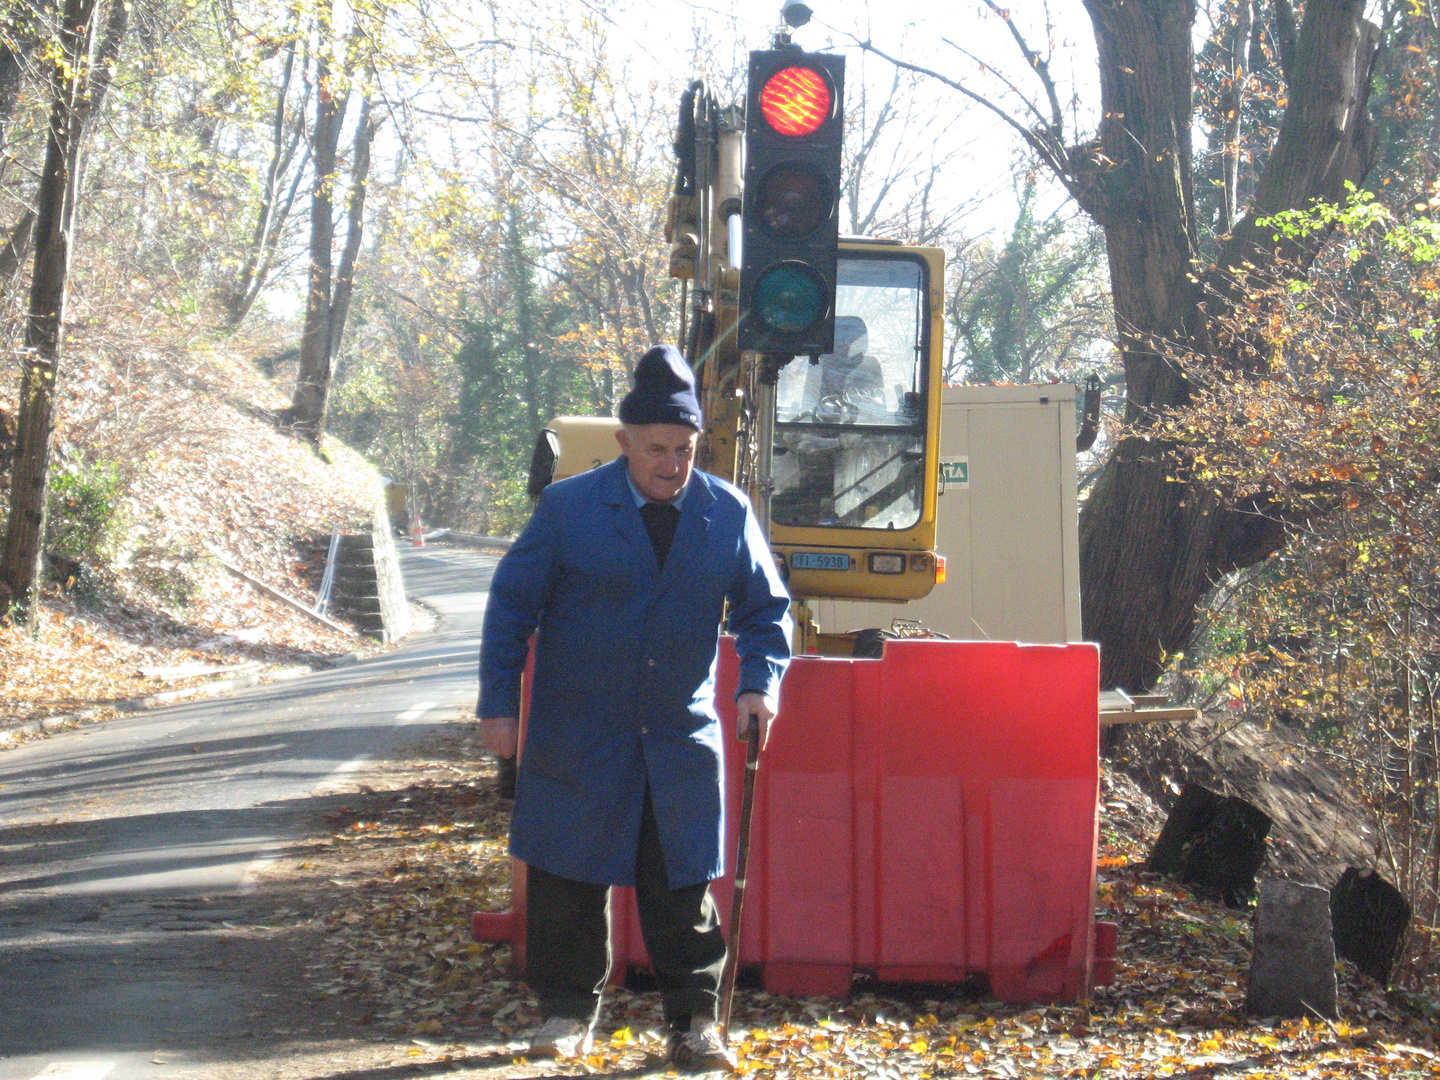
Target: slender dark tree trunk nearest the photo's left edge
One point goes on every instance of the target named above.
(54, 237)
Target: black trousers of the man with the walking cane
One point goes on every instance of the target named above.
(568, 953)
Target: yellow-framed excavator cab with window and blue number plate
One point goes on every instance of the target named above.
(856, 436)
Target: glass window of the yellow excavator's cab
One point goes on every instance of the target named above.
(850, 426)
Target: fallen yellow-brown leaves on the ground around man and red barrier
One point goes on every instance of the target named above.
(398, 954)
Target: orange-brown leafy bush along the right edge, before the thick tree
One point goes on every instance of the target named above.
(1331, 428)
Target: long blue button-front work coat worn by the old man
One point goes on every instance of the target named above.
(626, 669)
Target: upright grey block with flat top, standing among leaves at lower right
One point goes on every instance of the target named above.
(1292, 967)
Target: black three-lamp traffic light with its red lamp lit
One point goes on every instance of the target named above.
(794, 132)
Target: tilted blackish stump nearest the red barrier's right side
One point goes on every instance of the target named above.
(1216, 845)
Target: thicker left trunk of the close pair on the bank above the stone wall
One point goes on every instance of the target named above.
(307, 410)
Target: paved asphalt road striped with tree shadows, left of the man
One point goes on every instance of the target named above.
(112, 839)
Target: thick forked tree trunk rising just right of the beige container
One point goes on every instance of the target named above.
(1151, 544)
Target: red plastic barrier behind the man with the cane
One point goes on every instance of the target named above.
(927, 817)
